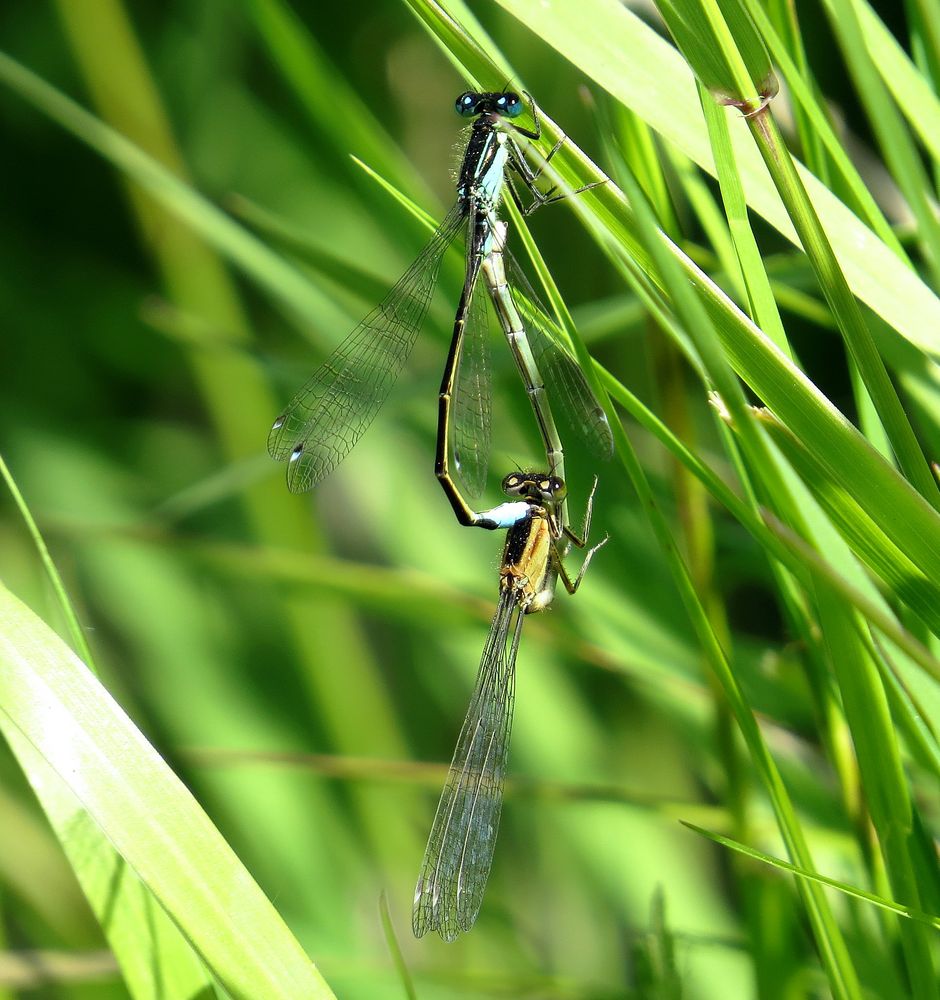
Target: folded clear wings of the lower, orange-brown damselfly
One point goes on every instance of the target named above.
(460, 849)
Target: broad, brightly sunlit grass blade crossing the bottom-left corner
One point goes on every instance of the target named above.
(48, 696)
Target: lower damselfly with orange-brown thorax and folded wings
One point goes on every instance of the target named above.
(459, 853)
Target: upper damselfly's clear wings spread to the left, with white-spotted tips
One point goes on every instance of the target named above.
(331, 411)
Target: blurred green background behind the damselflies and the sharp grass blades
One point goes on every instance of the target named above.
(304, 662)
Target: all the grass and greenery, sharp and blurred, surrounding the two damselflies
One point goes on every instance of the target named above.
(754, 652)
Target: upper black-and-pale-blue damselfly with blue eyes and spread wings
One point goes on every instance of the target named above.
(331, 411)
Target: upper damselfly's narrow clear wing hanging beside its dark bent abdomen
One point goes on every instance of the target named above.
(473, 399)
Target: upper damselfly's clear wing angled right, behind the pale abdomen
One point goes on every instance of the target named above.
(567, 388)
